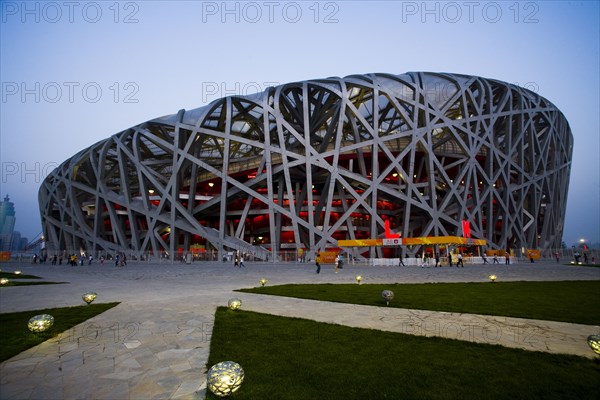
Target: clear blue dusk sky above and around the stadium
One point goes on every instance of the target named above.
(74, 73)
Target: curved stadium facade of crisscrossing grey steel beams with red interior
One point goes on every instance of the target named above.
(305, 164)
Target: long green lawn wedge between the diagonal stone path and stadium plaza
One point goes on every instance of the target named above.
(567, 301)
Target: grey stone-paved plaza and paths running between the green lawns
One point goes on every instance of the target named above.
(155, 344)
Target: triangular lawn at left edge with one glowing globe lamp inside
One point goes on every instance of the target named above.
(16, 337)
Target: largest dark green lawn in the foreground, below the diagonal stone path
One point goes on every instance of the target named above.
(296, 359)
